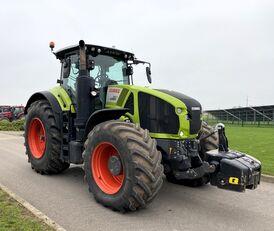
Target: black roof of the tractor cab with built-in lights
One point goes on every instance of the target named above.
(95, 49)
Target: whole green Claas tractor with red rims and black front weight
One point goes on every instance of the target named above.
(127, 137)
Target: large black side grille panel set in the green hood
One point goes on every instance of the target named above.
(157, 115)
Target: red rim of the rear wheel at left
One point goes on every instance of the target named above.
(37, 138)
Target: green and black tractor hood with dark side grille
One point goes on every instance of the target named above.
(166, 114)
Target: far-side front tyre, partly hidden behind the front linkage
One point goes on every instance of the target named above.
(211, 142)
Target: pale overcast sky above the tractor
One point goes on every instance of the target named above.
(219, 52)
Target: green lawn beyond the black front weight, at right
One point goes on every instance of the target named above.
(256, 141)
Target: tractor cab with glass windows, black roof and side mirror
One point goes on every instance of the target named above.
(102, 65)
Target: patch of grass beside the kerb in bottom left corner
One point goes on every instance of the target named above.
(14, 217)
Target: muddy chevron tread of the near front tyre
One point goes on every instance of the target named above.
(148, 177)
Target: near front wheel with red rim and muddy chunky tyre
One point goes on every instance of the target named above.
(139, 172)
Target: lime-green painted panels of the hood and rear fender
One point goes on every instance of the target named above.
(125, 91)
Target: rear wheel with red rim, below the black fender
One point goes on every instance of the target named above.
(43, 139)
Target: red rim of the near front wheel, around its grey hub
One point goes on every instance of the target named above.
(107, 182)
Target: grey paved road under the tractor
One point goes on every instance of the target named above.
(65, 199)
